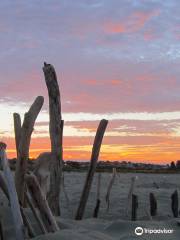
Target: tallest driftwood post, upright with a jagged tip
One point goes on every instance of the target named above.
(56, 136)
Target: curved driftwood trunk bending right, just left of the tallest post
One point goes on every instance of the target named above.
(23, 148)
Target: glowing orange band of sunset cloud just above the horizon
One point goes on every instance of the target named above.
(136, 149)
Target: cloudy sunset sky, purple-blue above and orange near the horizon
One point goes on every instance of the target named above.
(115, 59)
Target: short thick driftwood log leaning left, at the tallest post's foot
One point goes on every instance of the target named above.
(40, 200)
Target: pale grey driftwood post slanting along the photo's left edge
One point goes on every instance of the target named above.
(15, 208)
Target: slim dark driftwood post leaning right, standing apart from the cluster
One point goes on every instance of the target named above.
(93, 163)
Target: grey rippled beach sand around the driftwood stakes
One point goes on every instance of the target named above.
(113, 224)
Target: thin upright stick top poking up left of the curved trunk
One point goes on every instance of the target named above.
(17, 129)
